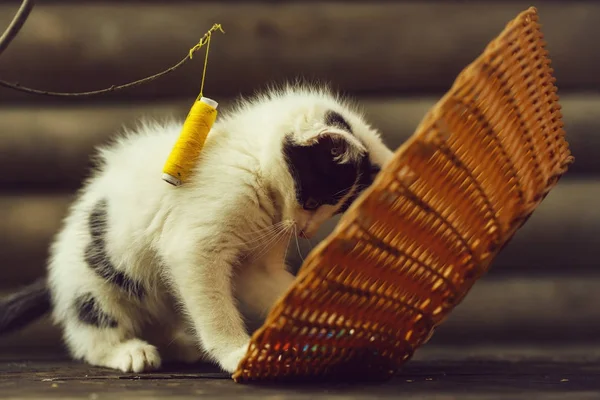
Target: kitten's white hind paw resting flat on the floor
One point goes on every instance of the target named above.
(135, 356)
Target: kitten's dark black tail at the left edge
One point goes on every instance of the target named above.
(25, 306)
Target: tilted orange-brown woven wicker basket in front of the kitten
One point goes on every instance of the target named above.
(411, 247)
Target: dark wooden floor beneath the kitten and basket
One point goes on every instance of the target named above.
(437, 373)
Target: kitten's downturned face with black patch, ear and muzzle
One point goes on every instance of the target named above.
(329, 170)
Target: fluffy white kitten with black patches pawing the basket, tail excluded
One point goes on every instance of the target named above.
(143, 272)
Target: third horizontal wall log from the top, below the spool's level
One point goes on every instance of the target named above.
(561, 237)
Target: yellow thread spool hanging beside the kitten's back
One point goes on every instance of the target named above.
(188, 147)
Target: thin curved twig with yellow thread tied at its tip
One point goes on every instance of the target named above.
(113, 88)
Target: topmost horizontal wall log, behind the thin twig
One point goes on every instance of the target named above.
(376, 46)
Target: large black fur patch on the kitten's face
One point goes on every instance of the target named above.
(319, 178)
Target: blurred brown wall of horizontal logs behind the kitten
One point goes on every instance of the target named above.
(395, 57)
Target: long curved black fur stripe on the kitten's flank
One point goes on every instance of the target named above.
(97, 257)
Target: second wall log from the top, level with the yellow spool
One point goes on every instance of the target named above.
(50, 147)
